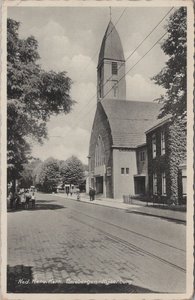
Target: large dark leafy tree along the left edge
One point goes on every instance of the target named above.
(33, 96)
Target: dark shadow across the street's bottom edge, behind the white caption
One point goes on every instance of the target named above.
(20, 280)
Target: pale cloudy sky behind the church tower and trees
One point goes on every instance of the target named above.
(69, 40)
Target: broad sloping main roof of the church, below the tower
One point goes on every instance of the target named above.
(129, 120)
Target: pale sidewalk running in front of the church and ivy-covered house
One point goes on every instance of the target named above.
(137, 207)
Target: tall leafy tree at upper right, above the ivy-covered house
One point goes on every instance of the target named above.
(173, 76)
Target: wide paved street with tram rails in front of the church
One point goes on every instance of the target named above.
(67, 241)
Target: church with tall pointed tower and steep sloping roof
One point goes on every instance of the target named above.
(117, 151)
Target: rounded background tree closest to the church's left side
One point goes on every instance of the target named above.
(72, 171)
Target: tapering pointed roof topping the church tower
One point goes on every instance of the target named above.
(111, 47)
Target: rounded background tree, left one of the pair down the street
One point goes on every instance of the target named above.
(48, 175)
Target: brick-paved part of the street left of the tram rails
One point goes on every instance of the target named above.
(59, 248)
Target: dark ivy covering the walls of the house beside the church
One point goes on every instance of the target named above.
(168, 163)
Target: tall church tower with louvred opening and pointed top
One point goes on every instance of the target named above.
(111, 83)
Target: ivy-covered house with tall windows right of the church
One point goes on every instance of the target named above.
(166, 162)
